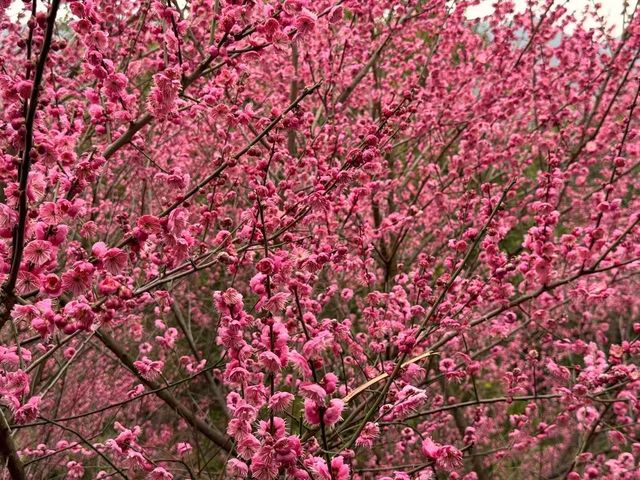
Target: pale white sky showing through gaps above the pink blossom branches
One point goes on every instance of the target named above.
(611, 9)
